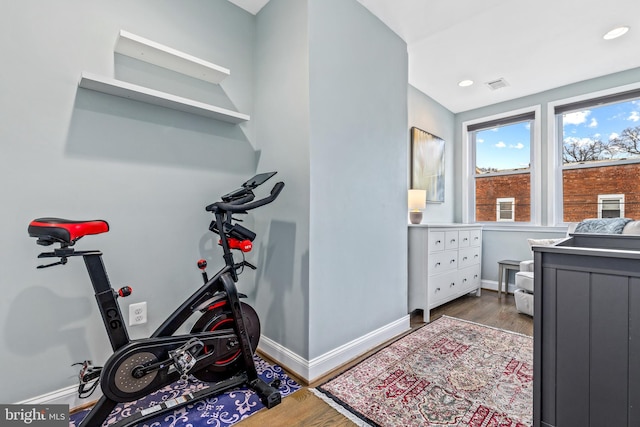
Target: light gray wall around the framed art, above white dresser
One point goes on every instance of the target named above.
(426, 114)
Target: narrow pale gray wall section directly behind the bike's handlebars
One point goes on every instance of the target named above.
(282, 126)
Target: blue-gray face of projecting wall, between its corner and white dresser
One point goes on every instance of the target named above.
(358, 151)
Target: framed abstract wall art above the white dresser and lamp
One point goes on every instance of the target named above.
(427, 164)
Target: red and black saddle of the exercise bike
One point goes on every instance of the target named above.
(65, 230)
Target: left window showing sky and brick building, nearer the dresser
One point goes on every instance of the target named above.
(500, 159)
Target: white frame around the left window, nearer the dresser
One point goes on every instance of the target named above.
(468, 160)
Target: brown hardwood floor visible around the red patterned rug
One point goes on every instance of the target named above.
(303, 408)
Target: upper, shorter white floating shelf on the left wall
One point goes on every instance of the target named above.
(154, 53)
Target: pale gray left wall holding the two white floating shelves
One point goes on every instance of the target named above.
(75, 153)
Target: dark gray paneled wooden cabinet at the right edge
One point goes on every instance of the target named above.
(587, 332)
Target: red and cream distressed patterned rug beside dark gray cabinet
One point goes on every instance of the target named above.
(448, 373)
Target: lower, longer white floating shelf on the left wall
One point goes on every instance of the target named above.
(155, 97)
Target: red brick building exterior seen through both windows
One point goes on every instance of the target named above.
(581, 187)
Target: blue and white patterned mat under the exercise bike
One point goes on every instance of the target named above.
(219, 411)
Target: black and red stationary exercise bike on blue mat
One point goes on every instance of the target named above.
(219, 348)
